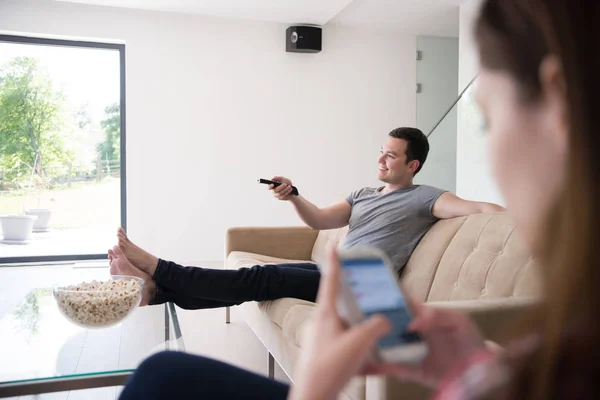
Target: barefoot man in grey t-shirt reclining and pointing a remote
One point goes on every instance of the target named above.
(393, 217)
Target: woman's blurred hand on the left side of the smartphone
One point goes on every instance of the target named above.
(335, 354)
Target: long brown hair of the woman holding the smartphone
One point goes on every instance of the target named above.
(515, 36)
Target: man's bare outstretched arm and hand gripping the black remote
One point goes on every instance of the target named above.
(335, 216)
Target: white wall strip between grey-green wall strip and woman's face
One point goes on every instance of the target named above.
(473, 176)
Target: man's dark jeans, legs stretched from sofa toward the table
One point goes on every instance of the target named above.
(195, 288)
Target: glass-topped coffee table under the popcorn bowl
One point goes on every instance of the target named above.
(42, 352)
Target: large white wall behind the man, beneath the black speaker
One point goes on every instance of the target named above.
(214, 104)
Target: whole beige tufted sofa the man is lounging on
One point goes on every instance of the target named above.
(476, 264)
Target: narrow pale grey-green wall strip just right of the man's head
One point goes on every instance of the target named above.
(437, 72)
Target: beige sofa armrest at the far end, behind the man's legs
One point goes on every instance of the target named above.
(294, 243)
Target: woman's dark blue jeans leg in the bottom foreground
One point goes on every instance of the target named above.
(171, 375)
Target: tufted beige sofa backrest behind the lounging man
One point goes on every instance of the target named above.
(467, 258)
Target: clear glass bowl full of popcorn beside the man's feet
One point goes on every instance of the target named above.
(99, 304)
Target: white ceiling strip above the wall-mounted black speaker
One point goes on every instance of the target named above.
(430, 17)
